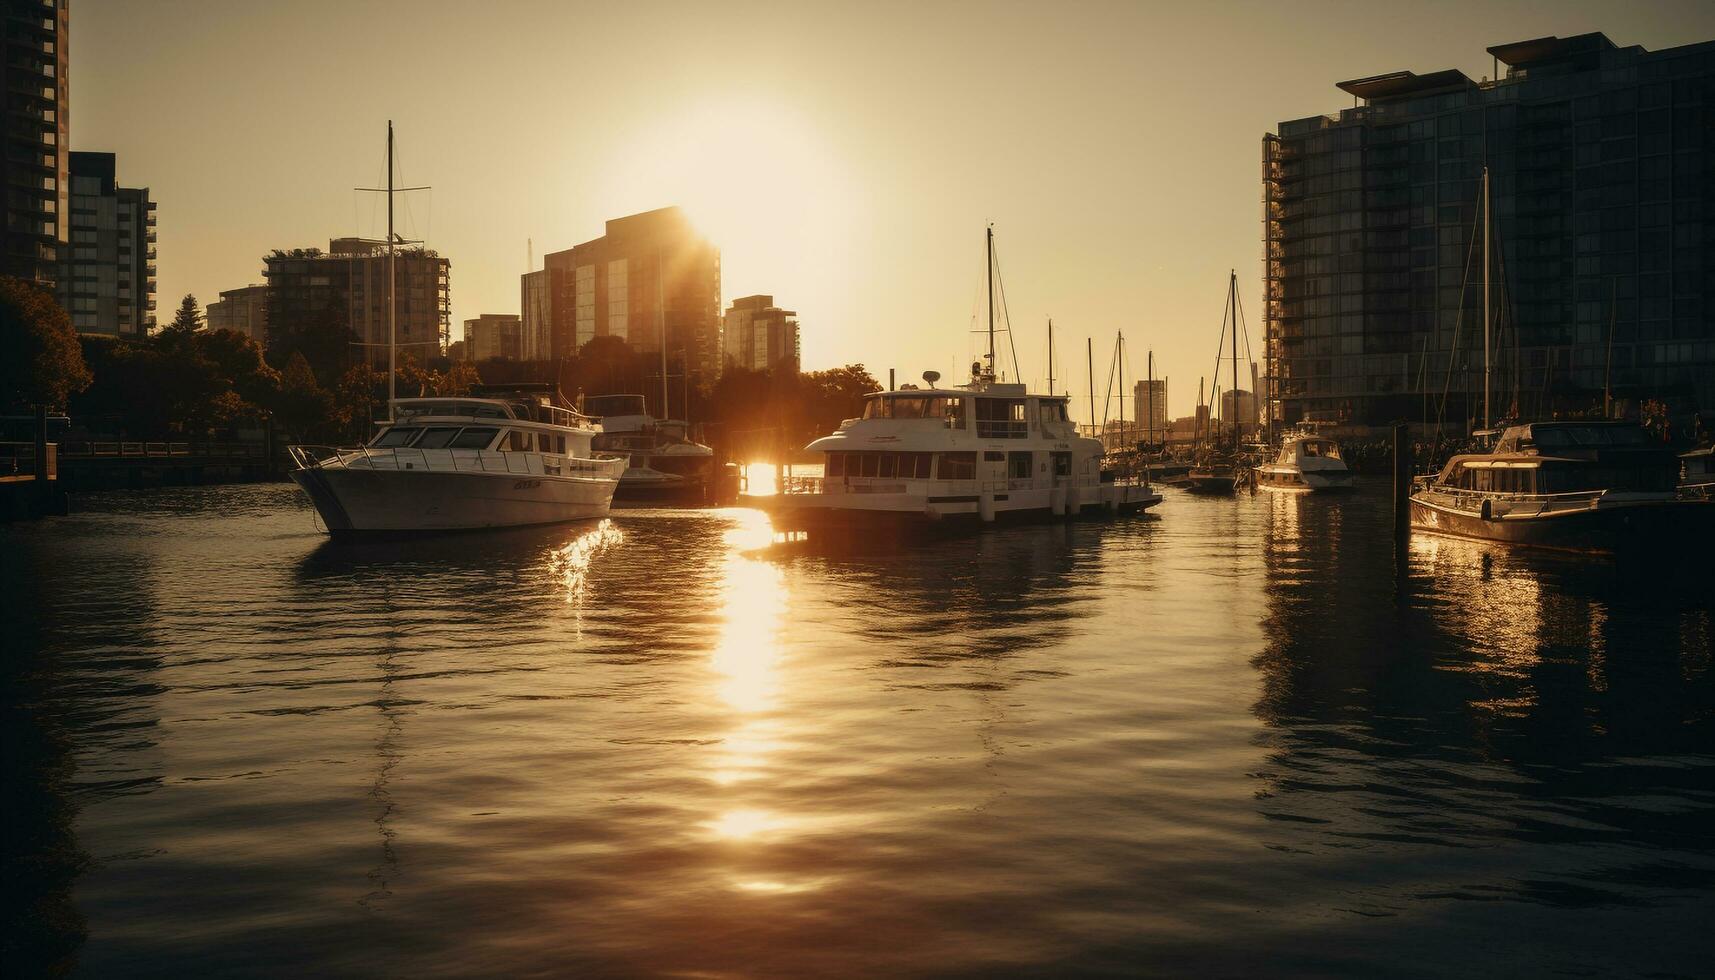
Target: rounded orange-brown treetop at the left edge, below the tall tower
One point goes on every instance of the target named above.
(42, 361)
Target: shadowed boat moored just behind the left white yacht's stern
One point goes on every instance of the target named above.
(663, 459)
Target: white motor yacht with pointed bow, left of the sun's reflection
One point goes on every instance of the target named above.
(462, 464)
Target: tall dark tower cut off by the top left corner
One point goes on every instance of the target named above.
(35, 167)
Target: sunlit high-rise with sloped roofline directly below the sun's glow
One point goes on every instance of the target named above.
(651, 275)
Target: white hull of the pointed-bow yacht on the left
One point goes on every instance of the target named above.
(358, 502)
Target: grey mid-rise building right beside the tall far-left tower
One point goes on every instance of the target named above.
(107, 275)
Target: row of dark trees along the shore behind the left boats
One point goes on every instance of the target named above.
(315, 385)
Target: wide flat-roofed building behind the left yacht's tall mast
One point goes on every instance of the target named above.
(349, 282)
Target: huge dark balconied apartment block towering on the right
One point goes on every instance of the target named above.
(1603, 214)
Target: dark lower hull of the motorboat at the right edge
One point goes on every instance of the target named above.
(1637, 528)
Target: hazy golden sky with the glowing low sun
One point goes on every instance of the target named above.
(845, 157)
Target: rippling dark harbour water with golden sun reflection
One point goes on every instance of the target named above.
(1225, 739)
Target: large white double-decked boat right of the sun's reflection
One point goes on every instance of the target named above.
(980, 452)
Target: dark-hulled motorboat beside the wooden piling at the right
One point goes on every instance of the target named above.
(1579, 487)
